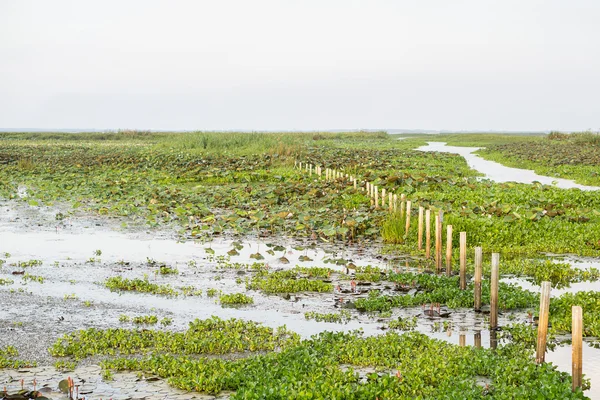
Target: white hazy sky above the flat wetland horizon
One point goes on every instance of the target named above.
(300, 64)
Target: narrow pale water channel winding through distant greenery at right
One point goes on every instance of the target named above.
(500, 173)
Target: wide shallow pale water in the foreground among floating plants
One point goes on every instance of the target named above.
(71, 268)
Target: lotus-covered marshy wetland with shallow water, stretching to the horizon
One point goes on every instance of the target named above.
(147, 265)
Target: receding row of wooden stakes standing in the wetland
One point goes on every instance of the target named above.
(424, 226)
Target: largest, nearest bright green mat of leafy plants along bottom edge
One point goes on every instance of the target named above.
(407, 365)
